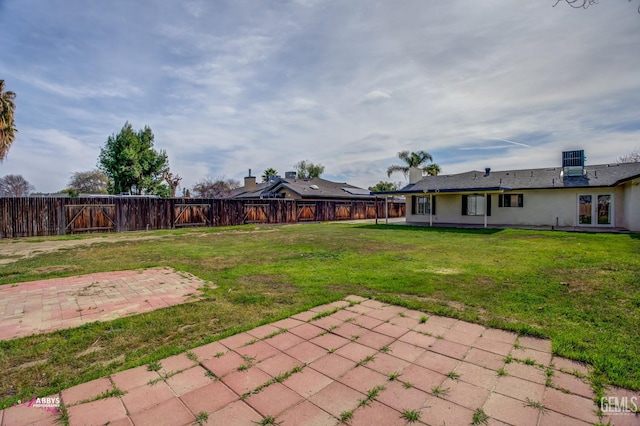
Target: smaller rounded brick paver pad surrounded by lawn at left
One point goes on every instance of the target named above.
(40, 306)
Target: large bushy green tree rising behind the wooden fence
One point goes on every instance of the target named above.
(131, 163)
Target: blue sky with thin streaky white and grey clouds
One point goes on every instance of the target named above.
(231, 85)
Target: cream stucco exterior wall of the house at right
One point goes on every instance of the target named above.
(552, 207)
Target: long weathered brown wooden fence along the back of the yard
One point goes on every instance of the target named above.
(41, 216)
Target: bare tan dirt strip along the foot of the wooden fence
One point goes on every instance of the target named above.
(13, 251)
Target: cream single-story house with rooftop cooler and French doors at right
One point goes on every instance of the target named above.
(571, 196)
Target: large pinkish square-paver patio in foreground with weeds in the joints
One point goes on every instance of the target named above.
(356, 361)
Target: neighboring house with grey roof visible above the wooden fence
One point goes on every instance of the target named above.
(292, 188)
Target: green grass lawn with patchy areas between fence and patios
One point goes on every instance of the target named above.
(581, 290)
